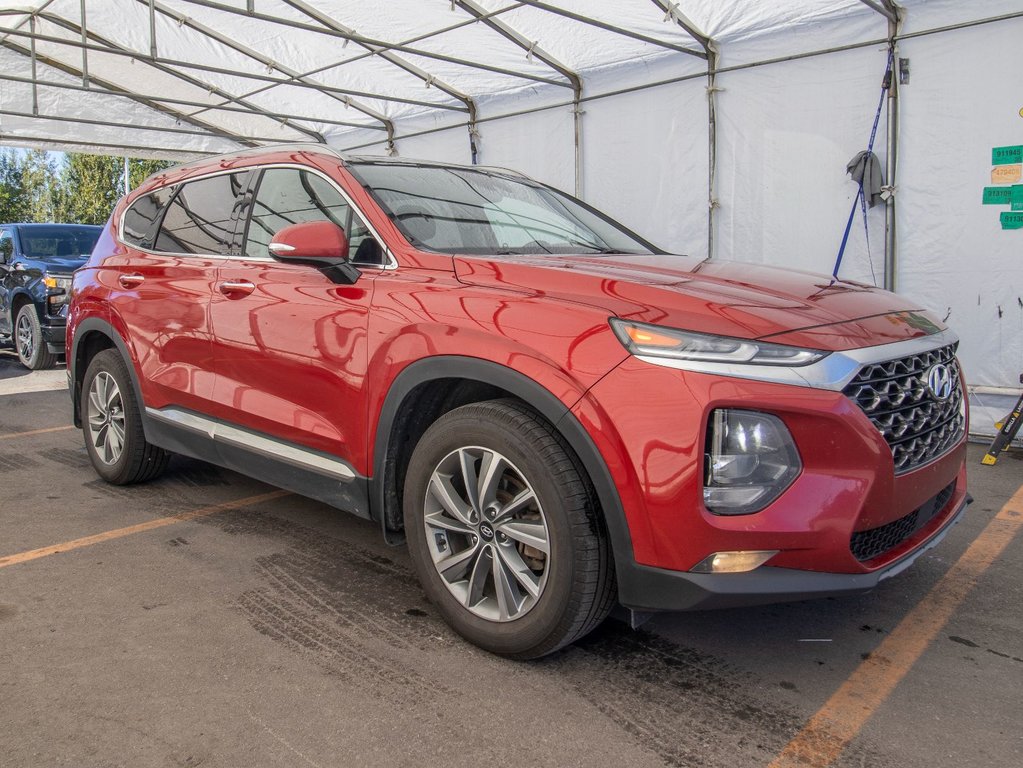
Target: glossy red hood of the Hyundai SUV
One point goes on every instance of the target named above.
(714, 297)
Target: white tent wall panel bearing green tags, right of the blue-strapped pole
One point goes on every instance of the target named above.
(963, 101)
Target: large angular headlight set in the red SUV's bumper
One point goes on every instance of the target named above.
(751, 460)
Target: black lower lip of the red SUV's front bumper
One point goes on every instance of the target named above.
(647, 590)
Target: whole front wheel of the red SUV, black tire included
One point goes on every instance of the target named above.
(576, 577)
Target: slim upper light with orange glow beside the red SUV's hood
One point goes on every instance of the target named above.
(655, 341)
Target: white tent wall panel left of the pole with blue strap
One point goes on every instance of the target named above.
(786, 132)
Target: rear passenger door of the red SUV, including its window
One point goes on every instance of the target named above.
(164, 284)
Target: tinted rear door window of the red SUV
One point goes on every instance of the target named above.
(199, 219)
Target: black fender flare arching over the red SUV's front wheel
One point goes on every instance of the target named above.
(535, 395)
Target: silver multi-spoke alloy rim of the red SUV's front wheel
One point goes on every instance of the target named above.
(487, 534)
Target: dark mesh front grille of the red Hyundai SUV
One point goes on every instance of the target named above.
(895, 395)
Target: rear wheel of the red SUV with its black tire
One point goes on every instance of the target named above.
(112, 425)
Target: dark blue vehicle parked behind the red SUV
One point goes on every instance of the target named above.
(36, 265)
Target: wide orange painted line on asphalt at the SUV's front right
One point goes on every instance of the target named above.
(843, 716)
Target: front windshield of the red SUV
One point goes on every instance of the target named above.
(466, 211)
